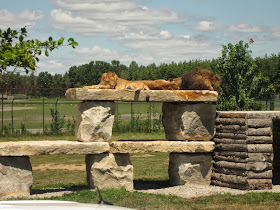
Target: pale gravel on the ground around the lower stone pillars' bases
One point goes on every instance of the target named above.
(185, 191)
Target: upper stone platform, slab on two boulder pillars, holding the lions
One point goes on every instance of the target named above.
(187, 114)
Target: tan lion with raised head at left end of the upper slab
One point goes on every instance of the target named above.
(110, 80)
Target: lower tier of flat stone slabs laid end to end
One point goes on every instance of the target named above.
(28, 148)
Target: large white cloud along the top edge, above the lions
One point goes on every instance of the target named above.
(109, 18)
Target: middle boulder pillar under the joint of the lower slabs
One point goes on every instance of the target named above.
(109, 170)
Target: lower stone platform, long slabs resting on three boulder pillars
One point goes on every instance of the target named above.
(108, 165)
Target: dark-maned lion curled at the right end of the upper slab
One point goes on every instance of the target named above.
(200, 79)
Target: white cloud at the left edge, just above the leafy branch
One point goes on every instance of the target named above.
(19, 20)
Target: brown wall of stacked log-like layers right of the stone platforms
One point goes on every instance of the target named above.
(243, 152)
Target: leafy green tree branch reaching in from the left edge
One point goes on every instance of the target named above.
(16, 52)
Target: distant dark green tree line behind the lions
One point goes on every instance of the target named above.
(48, 85)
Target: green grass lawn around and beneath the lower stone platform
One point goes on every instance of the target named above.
(47, 176)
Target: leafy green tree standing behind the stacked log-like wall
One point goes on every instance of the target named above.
(240, 77)
